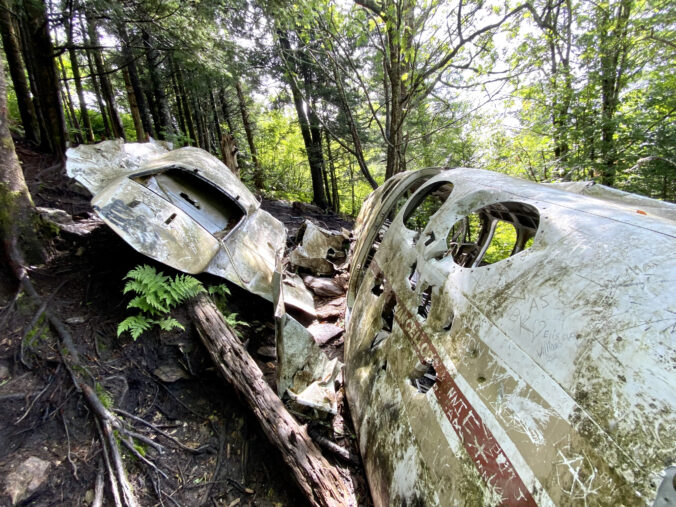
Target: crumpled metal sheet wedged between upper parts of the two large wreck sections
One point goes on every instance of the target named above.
(320, 251)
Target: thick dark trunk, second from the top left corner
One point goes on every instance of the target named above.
(46, 79)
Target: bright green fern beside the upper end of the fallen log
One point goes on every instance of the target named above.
(156, 295)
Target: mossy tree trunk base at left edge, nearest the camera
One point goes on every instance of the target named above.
(18, 219)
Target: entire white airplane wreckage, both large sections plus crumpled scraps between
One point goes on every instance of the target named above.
(506, 343)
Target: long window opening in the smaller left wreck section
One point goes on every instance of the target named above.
(205, 203)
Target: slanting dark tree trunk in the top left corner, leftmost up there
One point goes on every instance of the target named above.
(10, 42)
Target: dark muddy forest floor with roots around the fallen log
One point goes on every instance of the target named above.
(164, 378)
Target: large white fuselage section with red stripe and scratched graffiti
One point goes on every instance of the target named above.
(511, 343)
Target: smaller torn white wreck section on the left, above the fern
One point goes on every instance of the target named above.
(183, 208)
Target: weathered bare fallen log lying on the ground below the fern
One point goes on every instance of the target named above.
(322, 483)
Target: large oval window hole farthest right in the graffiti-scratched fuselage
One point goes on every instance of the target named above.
(493, 233)
